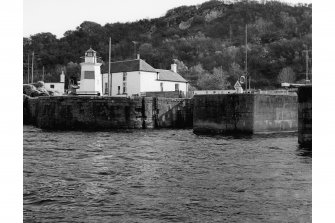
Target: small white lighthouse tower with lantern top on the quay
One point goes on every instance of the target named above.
(90, 79)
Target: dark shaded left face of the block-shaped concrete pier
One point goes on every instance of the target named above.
(223, 113)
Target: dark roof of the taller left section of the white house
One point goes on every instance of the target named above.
(131, 65)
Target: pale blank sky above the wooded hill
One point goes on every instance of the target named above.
(58, 16)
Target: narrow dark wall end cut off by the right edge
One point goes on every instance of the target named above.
(305, 116)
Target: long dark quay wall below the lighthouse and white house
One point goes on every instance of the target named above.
(89, 113)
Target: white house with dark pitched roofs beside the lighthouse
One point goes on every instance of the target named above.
(135, 77)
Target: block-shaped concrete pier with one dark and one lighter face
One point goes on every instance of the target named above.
(244, 113)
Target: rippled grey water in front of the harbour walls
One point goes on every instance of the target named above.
(164, 176)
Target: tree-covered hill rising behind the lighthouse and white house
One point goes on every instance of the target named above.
(207, 41)
